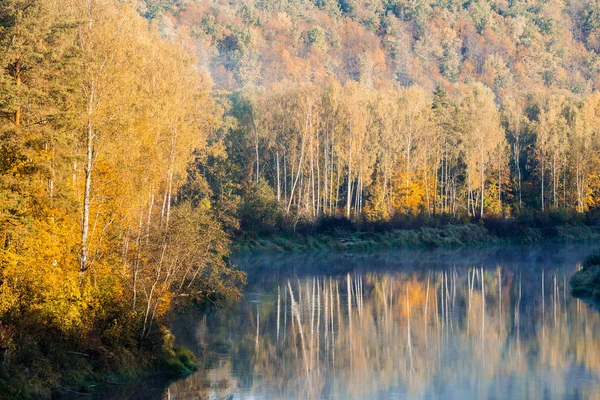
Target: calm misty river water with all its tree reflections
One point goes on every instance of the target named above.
(477, 323)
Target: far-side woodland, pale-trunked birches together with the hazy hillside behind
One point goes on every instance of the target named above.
(379, 109)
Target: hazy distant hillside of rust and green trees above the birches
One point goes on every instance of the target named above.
(507, 45)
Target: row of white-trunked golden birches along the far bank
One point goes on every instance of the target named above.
(355, 151)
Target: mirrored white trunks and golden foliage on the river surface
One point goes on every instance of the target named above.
(448, 331)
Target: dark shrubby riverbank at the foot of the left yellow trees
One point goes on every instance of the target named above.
(65, 369)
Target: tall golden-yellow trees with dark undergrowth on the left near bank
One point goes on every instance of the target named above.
(101, 117)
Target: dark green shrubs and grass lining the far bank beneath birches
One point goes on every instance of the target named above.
(337, 235)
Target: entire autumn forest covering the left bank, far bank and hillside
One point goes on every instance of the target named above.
(139, 139)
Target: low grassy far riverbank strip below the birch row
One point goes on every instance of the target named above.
(444, 236)
